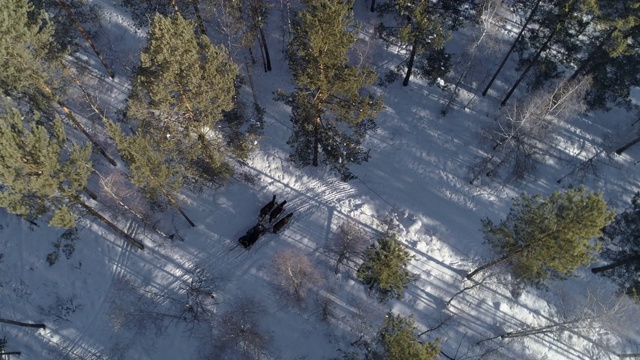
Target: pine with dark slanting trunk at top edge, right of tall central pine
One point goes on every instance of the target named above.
(417, 26)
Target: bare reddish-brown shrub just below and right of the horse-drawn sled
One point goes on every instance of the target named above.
(294, 276)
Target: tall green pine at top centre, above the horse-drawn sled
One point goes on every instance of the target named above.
(330, 112)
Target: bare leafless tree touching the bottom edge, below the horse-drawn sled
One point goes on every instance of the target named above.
(238, 334)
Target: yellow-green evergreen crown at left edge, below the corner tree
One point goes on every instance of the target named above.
(37, 174)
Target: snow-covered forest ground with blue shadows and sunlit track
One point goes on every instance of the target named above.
(109, 301)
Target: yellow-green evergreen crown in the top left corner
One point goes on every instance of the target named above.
(28, 56)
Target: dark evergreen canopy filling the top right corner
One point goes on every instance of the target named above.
(594, 37)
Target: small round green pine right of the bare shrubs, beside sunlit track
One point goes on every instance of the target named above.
(385, 268)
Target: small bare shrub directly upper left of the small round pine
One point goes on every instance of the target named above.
(348, 243)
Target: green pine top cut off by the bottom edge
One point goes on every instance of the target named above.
(397, 340)
